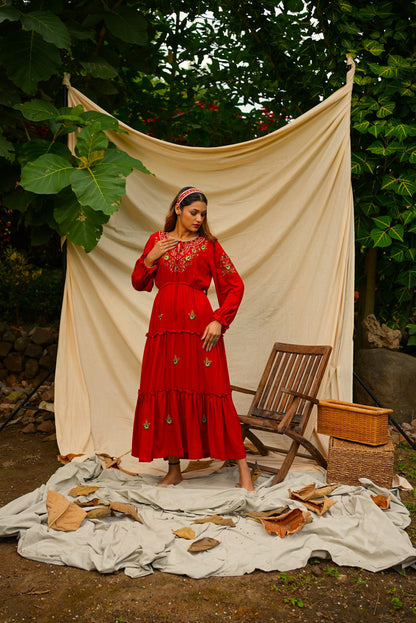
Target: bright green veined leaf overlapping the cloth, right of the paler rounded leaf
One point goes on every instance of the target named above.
(98, 187)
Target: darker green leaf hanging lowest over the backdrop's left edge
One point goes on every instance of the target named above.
(80, 224)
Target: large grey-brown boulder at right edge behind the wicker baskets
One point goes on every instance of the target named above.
(391, 377)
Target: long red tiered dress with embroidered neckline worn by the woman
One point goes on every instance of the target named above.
(184, 406)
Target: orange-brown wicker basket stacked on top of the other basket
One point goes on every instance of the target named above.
(353, 422)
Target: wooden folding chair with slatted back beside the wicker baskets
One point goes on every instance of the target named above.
(284, 400)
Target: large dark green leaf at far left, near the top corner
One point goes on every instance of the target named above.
(28, 60)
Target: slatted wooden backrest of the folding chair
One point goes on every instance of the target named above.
(290, 366)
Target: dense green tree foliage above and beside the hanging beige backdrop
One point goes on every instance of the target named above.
(211, 73)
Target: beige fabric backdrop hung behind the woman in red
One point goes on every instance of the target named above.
(281, 205)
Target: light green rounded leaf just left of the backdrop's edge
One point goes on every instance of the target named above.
(47, 175)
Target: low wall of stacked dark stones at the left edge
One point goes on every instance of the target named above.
(26, 355)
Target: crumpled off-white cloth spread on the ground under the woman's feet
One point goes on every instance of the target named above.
(353, 532)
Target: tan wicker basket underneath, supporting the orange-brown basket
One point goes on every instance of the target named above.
(349, 461)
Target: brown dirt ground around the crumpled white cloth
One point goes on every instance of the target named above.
(322, 591)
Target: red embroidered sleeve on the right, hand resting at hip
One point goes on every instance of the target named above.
(229, 287)
